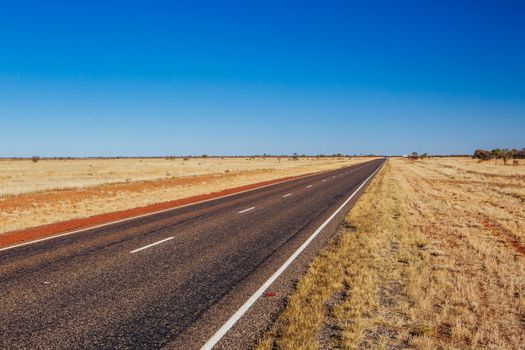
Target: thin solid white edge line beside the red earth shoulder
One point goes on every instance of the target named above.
(152, 213)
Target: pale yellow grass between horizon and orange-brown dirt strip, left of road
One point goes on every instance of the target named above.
(24, 176)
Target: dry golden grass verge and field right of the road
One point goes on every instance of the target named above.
(431, 257)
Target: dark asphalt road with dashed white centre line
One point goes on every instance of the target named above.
(169, 279)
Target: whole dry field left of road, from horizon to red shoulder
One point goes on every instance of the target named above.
(49, 191)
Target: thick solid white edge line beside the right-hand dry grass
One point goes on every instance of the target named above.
(246, 306)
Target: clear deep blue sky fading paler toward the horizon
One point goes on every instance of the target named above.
(103, 78)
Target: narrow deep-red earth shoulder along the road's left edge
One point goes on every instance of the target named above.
(20, 236)
